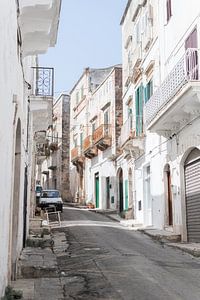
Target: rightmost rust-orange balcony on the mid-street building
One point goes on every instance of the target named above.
(102, 137)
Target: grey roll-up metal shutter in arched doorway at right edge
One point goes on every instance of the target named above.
(192, 191)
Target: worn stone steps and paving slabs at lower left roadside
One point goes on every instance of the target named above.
(39, 277)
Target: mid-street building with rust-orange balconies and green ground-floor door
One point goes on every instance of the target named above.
(95, 127)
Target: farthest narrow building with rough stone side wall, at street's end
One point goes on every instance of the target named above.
(54, 171)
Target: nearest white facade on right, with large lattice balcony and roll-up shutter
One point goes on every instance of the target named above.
(173, 113)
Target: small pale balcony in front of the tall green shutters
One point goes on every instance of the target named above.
(130, 142)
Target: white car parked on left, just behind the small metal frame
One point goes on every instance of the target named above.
(50, 198)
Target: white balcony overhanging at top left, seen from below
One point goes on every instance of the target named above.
(38, 21)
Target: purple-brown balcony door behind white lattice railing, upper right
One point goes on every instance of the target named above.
(191, 46)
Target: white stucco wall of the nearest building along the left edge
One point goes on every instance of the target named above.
(13, 107)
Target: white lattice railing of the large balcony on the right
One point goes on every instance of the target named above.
(187, 69)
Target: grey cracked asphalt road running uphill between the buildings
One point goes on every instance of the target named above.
(105, 260)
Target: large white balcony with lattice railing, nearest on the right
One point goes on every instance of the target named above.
(176, 102)
